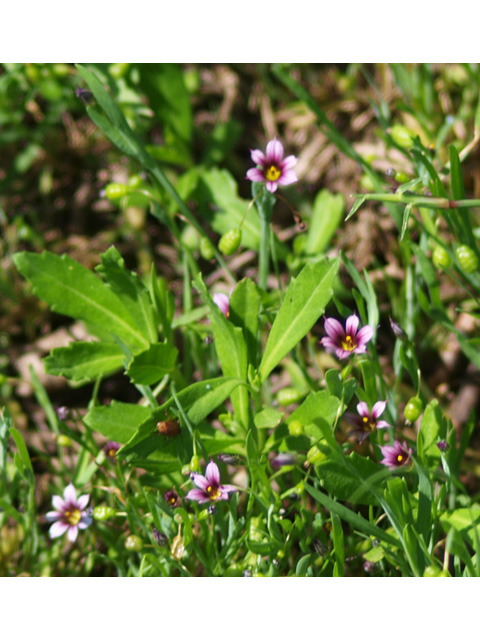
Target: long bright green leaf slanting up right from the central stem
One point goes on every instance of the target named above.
(303, 304)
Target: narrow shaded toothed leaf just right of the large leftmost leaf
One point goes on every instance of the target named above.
(134, 296)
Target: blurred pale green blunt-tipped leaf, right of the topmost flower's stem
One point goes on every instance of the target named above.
(327, 213)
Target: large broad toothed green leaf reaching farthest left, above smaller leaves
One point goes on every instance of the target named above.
(73, 290)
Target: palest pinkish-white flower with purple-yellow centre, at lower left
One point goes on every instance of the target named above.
(70, 514)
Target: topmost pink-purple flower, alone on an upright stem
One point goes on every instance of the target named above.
(272, 168)
